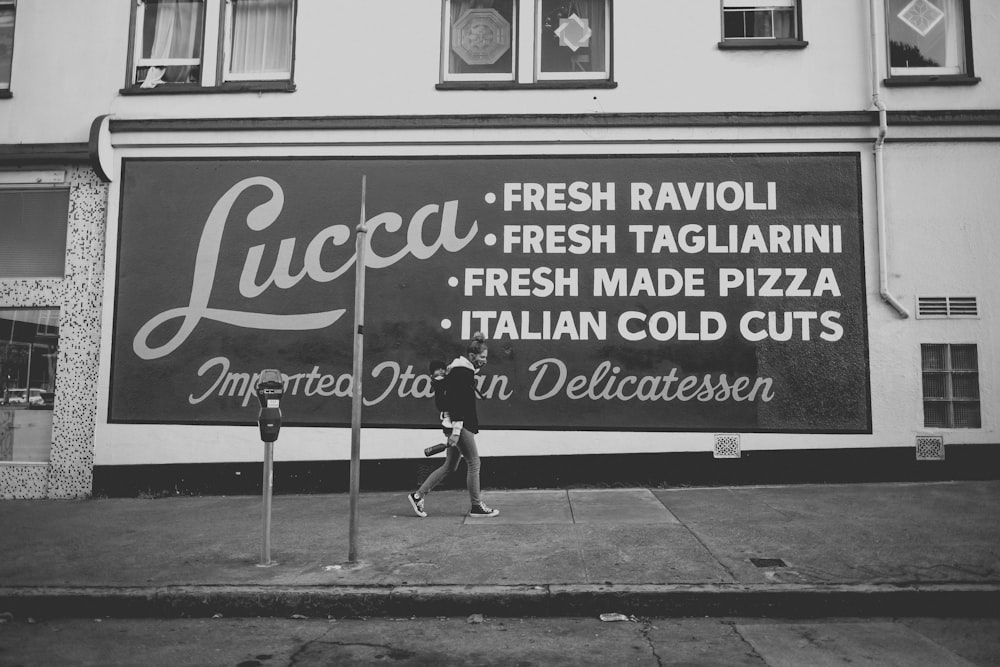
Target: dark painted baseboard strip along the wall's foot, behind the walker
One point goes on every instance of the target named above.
(836, 466)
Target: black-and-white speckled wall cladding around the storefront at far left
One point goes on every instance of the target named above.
(78, 296)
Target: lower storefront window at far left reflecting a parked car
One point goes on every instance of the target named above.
(29, 344)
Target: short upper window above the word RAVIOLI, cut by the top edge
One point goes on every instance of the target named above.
(761, 24)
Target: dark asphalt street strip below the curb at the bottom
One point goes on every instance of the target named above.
(474, 640)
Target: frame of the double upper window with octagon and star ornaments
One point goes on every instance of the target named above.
(527, 64)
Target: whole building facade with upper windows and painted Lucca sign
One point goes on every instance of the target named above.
(685, 227)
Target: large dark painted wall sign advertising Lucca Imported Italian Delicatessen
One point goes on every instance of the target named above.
(690, 293)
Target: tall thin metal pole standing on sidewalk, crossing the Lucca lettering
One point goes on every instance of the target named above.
(356, 398)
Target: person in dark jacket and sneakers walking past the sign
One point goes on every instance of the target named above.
(461, 425)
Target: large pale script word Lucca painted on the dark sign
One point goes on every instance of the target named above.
(263, 216)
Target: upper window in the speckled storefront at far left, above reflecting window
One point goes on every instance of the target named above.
(33, 228)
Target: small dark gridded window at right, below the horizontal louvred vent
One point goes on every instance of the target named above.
(951, 386)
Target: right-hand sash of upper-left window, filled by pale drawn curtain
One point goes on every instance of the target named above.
(259, 39)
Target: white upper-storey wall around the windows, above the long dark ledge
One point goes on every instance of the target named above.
(383, 58)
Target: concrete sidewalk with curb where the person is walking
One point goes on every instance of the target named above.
(811, 550)
